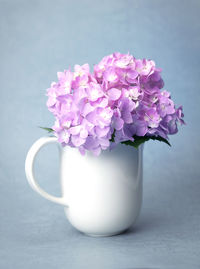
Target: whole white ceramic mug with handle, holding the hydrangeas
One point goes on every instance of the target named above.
(101, 195)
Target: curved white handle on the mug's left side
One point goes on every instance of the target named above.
(29, 168)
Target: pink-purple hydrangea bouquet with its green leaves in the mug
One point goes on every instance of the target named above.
(120, 102)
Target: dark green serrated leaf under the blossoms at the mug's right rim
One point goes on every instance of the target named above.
(138, 140)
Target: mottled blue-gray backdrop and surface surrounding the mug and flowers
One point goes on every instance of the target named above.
(39, 38)
